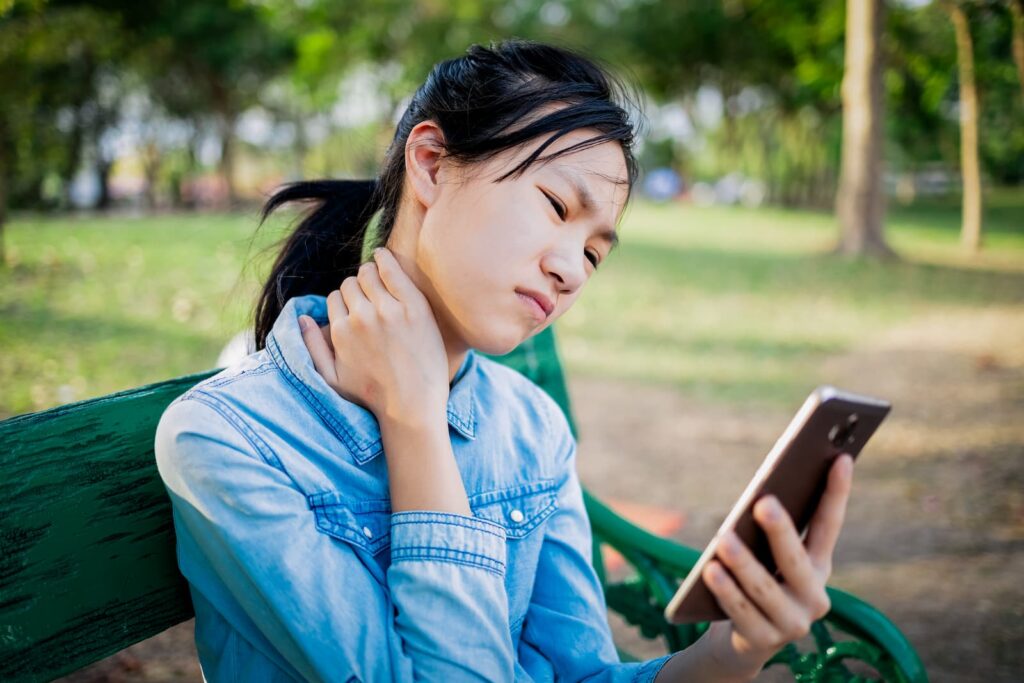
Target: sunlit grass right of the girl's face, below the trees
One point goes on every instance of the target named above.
(744, 307)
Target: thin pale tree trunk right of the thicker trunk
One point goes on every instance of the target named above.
(970, 170)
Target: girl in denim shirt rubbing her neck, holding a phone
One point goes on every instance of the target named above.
(367, 498)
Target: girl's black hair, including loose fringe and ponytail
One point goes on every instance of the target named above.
(481, 102)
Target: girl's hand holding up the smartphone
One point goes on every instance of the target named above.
(765, 615)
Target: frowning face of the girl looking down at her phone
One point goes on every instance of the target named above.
(483, 244)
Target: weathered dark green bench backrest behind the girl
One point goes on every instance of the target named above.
(88, 559)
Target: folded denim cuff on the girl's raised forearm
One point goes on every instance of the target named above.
(447, 537)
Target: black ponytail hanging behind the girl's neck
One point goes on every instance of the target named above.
(326, 248)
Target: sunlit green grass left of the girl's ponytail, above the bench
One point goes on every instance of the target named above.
(98, 306)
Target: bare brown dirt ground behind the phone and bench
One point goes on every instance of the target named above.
(935, 532)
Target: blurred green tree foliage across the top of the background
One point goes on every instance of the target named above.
(73, 70)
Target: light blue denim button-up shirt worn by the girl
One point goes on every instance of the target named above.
(300, 570)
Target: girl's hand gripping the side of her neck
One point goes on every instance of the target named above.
(388, 352)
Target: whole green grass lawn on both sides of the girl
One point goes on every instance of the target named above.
(731, 306)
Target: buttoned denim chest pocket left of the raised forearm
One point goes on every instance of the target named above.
(366, 525)
